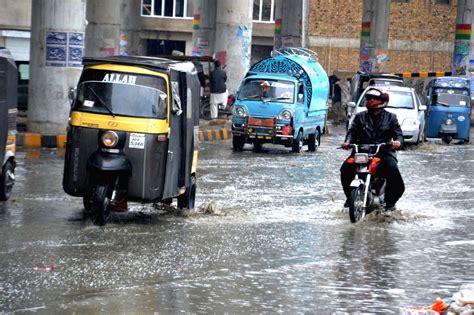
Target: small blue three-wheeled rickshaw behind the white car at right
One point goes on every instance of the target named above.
(449, 109)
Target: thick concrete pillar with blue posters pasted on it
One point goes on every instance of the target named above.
(57, 47)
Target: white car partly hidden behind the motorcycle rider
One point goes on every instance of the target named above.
(403, 102)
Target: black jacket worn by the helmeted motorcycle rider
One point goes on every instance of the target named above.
(365, 130)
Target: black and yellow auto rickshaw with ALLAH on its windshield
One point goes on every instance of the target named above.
(132, 134)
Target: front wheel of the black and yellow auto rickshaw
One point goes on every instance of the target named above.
(100, 210)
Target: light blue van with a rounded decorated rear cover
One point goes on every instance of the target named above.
(283, 100)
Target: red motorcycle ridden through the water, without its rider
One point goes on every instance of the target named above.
(368, 189)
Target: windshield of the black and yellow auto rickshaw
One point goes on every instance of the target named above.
(120, 99)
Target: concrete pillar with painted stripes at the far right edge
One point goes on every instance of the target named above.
(463, 42)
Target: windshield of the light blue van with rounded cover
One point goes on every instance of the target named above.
(268, 90)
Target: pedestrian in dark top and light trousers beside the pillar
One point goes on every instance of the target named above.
(218, 79)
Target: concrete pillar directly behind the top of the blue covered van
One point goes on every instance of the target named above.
(291, 23)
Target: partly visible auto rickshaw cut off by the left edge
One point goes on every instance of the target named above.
(8, 112)
